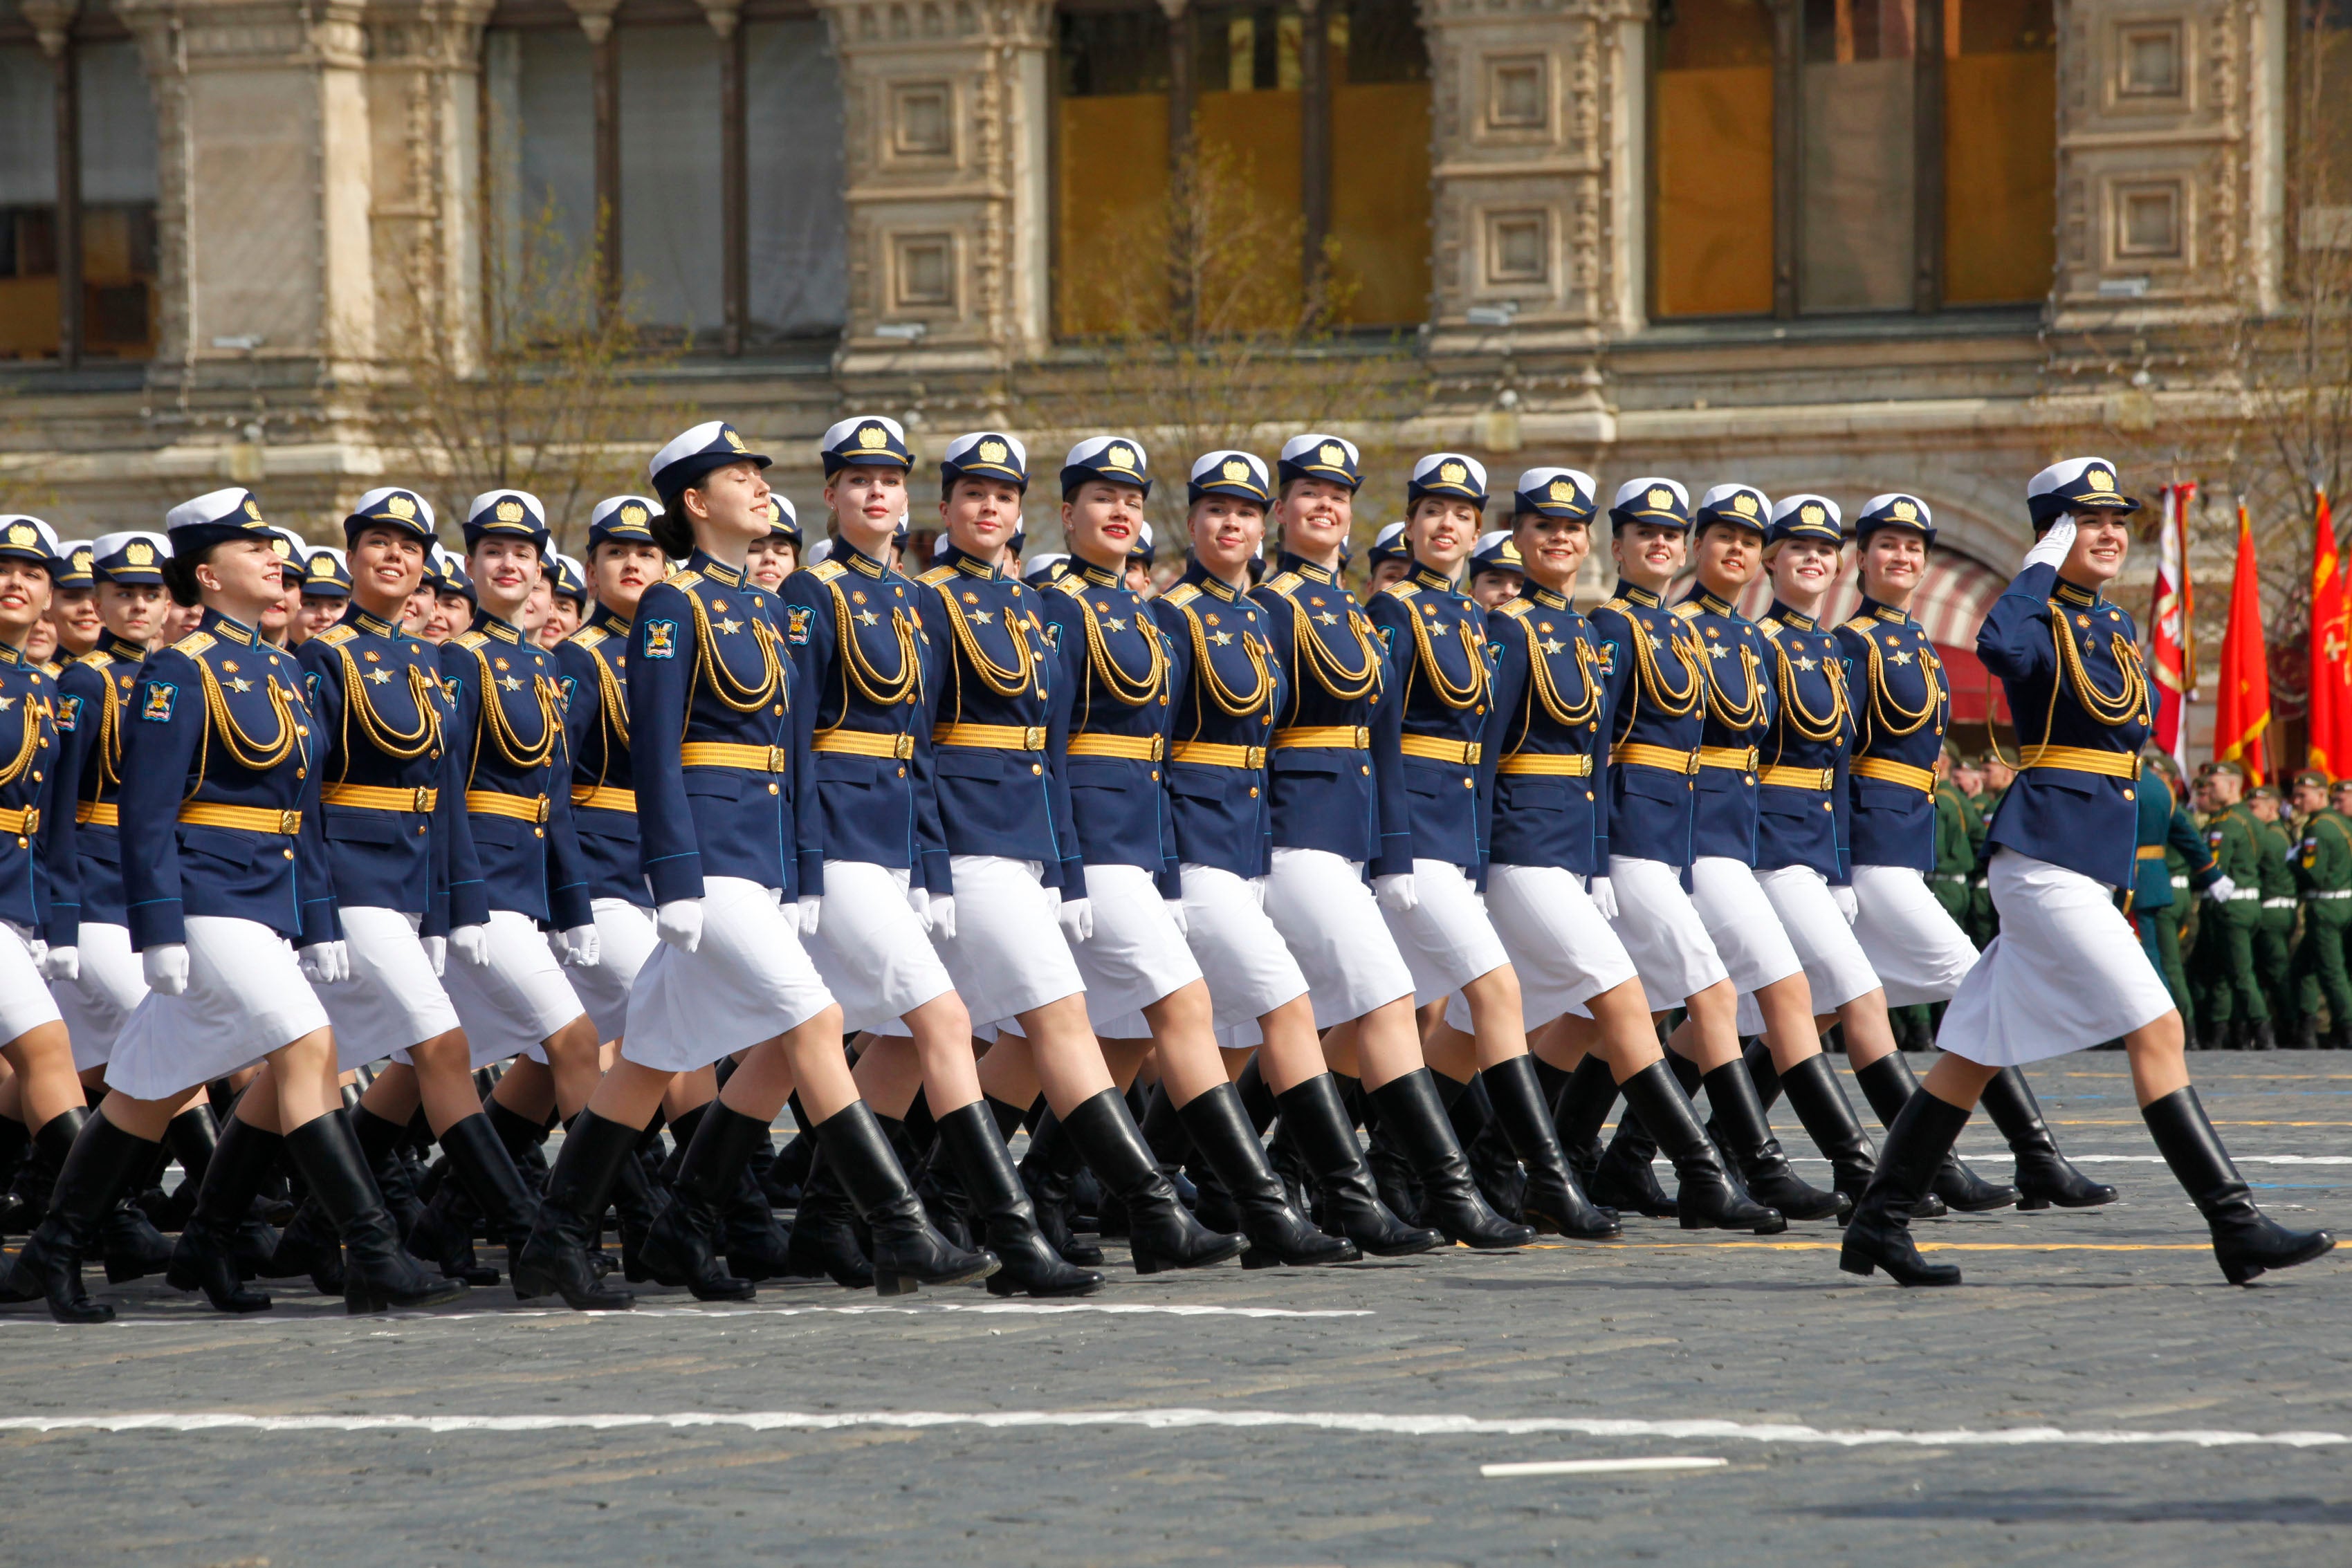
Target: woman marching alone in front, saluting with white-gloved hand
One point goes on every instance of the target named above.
(2069, 970)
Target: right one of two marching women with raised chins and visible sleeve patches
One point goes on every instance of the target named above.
(721, 803)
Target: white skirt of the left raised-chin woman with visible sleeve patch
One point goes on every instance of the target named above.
(246, 998)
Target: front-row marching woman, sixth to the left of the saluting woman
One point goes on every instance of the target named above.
(1438, 643)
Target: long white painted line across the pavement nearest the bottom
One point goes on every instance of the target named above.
(1182, 1421)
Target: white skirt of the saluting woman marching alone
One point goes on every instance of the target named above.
(2064, 974)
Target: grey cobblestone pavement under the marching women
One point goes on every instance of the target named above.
(2076, 1325)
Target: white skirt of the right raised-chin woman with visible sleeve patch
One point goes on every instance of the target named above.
(744, 984)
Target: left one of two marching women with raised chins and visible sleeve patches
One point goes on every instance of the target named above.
(225, 873)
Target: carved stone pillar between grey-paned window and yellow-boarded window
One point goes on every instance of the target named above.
(947, 154)
